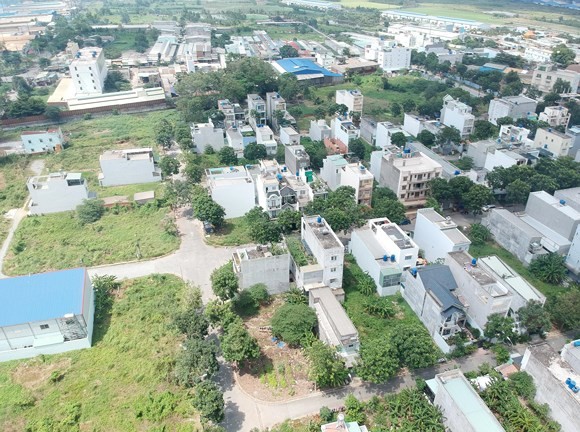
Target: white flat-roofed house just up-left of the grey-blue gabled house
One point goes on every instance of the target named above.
(383, 251)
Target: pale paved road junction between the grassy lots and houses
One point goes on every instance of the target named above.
(193, 261)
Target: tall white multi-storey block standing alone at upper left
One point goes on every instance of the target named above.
(88, 71)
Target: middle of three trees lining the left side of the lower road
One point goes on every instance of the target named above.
(196, 362)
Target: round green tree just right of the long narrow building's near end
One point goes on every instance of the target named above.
(378, 361)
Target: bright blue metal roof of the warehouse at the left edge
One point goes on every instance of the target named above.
(41, 296)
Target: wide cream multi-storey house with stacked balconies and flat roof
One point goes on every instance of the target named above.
(407, 173)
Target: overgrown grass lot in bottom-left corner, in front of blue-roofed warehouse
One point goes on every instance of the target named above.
(131, 359)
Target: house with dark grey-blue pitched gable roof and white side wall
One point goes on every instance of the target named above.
(430, 292)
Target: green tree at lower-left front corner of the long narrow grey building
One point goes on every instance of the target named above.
(327, 369)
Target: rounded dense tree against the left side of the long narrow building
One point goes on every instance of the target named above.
(293, 322)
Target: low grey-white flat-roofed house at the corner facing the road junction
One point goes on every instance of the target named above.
(262, 264)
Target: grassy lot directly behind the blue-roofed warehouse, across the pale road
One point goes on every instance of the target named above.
(58, 241)
